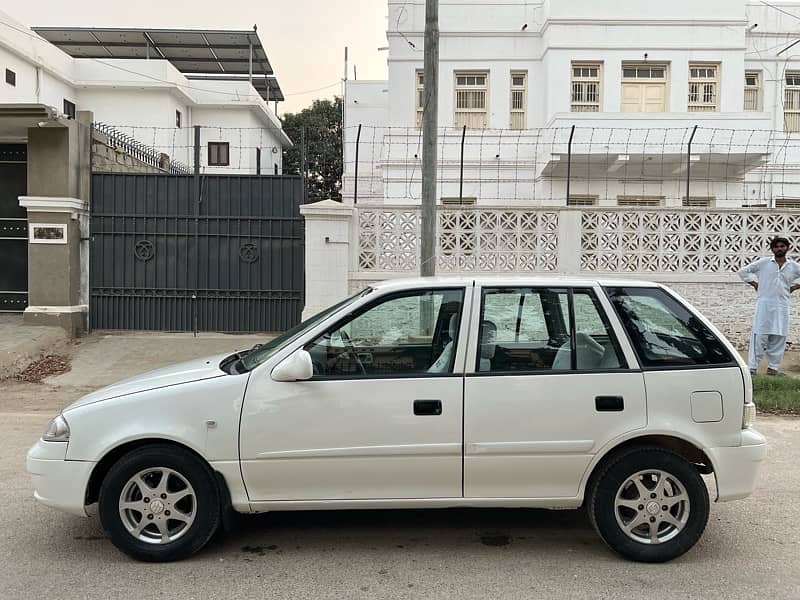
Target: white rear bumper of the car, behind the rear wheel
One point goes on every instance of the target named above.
(736, 467)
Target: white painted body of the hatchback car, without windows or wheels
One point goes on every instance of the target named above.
(357, 443)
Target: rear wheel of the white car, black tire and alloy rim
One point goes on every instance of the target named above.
(677, 529)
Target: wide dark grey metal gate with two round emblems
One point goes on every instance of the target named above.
(162, 261)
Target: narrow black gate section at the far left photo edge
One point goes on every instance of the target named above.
(13, 228)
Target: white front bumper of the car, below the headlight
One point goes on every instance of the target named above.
(58, 482)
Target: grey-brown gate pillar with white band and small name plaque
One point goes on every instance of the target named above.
(57, 203)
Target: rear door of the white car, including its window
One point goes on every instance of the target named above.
(548, 383)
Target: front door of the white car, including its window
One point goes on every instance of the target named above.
(380, 419)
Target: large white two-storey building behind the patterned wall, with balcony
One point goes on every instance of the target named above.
(634, 79)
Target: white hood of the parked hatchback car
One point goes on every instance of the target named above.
(186, 372)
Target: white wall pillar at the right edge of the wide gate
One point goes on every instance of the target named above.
(327, 258)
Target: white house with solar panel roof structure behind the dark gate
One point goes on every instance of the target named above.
(152, 85)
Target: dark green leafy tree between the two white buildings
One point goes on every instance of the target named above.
(323, 140)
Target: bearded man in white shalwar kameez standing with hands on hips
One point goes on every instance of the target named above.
(773, 278)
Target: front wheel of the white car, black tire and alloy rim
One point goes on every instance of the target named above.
(200, 502)
